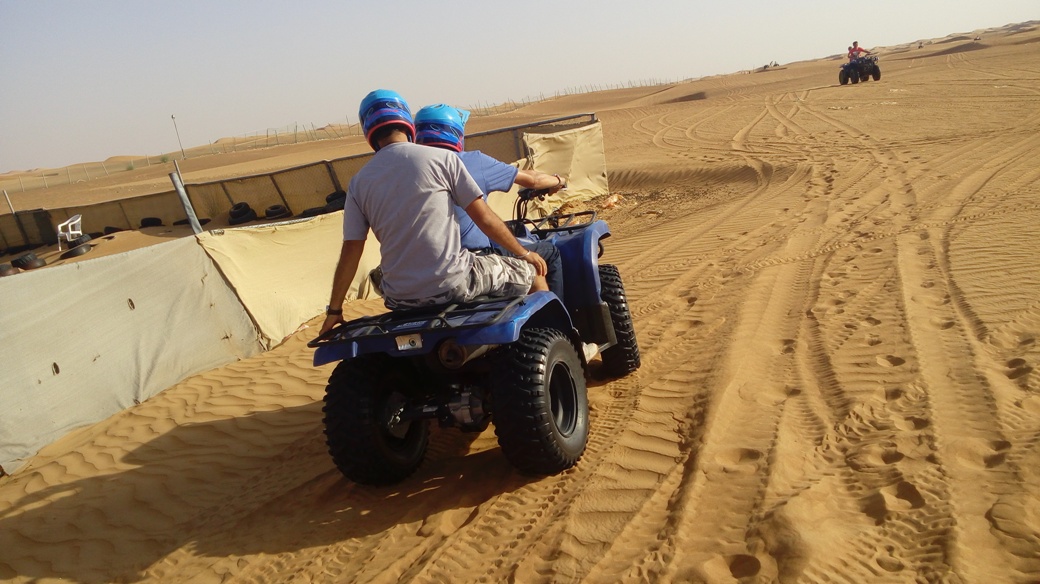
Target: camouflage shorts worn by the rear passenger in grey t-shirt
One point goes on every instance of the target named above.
(491, 276)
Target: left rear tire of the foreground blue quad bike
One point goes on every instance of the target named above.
(363, 396)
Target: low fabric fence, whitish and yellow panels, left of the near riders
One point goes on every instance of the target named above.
(83, 341)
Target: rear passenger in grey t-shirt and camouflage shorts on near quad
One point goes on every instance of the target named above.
(406, 195)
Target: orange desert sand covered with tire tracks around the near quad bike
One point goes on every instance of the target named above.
(838, 299)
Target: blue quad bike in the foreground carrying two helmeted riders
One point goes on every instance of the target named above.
(518, 362)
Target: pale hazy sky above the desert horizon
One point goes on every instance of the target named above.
(82, 82)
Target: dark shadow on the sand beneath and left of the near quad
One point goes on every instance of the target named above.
(259, 484)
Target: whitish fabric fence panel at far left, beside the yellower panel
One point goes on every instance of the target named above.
(85, 340)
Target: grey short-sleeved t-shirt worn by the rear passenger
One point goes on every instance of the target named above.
(407, 195)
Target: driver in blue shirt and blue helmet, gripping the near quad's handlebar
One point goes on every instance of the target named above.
(444, 126)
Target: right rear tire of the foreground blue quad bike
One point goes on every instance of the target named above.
(541, 405)
